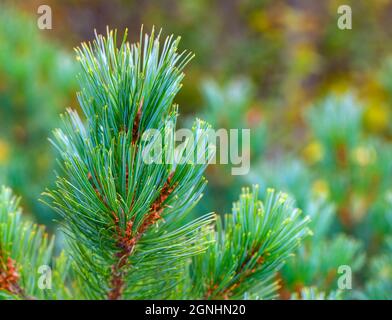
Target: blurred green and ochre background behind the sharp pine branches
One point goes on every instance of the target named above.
(318, 101)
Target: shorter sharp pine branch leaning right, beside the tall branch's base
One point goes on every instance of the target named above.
(250, 246)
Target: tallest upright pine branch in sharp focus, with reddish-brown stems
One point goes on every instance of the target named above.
(123, 217)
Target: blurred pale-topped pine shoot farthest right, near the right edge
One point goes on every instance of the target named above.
(356, 167)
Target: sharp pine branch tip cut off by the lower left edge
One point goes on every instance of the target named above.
(24, 248)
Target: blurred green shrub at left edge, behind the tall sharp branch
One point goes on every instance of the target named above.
(37, 81)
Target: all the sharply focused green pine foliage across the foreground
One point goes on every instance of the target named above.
(124, 220)
